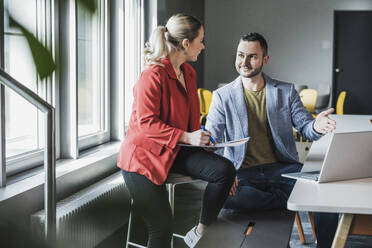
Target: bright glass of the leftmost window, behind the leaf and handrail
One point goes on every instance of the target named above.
(23, 122)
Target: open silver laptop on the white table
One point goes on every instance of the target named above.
(348, 156)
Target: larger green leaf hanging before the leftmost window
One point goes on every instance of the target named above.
(43, 58)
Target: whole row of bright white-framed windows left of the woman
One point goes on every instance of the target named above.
(82, 91)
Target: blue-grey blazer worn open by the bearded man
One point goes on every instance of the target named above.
(227, 119)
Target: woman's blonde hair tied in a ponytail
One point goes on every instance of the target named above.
(166, 38)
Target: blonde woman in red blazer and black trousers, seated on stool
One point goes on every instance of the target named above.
(165, 113)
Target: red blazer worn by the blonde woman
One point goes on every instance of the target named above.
(161, 112)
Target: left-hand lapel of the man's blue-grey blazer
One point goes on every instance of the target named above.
(237, 98)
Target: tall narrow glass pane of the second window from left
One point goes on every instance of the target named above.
(90, 70)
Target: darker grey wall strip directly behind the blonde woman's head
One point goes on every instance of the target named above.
(167, 8)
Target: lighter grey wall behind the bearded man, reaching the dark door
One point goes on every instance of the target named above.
(299, 34)
